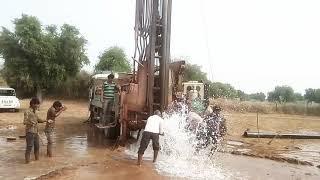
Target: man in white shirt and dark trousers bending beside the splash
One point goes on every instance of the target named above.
(152, 131)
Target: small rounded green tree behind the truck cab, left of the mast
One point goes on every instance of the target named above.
(113, 59)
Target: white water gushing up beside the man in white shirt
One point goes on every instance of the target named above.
(185, 153)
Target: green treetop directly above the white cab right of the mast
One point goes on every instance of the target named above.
(193, 72)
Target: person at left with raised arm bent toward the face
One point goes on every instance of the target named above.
(54, 111)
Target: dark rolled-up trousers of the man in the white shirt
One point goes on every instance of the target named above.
(146, 137)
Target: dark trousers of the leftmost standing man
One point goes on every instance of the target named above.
(32, 140)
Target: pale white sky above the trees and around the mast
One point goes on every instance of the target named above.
(252, 44)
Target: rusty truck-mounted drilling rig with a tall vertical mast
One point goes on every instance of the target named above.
(154, 82)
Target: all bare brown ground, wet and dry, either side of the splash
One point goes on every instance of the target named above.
(81, 154)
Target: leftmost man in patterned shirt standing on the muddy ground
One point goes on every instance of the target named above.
(31, 121)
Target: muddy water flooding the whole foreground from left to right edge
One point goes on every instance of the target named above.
(81, 153)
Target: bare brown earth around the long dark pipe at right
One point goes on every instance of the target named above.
(303, 150)
